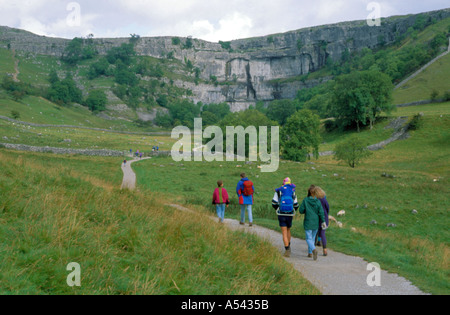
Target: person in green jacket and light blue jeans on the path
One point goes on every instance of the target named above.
(313, 211)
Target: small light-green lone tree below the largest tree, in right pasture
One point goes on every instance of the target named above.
(352, 151)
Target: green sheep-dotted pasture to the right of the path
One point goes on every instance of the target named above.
(417, 248)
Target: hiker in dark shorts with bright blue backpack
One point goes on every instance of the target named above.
(285, 201)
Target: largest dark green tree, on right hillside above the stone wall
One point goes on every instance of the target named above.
(361, 96)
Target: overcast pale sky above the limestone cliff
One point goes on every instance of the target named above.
(212, 20)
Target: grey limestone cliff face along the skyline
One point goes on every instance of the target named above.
(248, 70)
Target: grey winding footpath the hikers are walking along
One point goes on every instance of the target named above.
(336, 274)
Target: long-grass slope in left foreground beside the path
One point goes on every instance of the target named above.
(56, 210)
